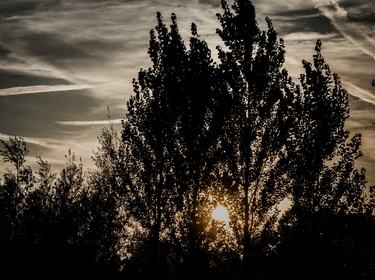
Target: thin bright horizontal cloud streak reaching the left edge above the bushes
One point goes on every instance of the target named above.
(39, 89)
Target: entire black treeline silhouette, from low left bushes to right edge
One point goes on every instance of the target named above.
(197, 134)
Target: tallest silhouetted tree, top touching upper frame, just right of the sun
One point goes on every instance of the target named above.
(258, 131)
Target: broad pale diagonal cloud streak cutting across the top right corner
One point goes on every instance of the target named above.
(350, 30)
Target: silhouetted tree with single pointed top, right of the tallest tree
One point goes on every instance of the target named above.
(320, 128)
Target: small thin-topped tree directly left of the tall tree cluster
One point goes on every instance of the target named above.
(104, 201)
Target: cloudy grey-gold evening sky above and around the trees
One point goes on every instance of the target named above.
(64, 62)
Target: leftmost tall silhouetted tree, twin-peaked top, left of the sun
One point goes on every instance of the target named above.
(148, 135)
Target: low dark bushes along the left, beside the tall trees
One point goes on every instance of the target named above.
(54, 231)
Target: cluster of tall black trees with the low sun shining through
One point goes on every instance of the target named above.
(193, 127)
